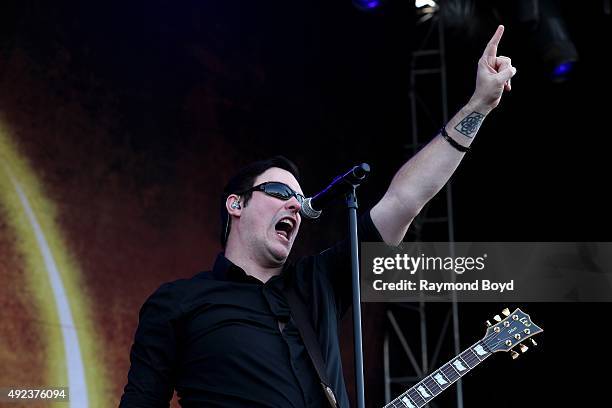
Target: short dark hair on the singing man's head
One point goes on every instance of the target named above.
(243, 180)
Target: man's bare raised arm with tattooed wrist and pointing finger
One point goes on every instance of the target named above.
(419, 179)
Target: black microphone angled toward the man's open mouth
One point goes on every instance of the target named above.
(313, 206)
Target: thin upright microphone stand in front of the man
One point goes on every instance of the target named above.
(351, 203)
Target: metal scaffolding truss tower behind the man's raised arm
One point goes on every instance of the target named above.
(413, 359)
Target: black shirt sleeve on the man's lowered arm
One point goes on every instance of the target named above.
(153, 354)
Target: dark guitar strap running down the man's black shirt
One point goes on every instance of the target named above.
(302, 321)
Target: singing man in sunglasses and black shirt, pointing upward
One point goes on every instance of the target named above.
(227, 337)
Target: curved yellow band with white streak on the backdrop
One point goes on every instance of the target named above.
(54, 283)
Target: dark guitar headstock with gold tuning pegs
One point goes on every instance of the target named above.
(510, 332)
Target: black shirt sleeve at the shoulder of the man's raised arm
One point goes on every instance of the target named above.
(336, 262)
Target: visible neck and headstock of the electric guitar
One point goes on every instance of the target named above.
(508, 333)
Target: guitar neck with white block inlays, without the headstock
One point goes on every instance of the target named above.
(436, 382)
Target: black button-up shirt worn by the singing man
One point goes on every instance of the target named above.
(215, 338)
